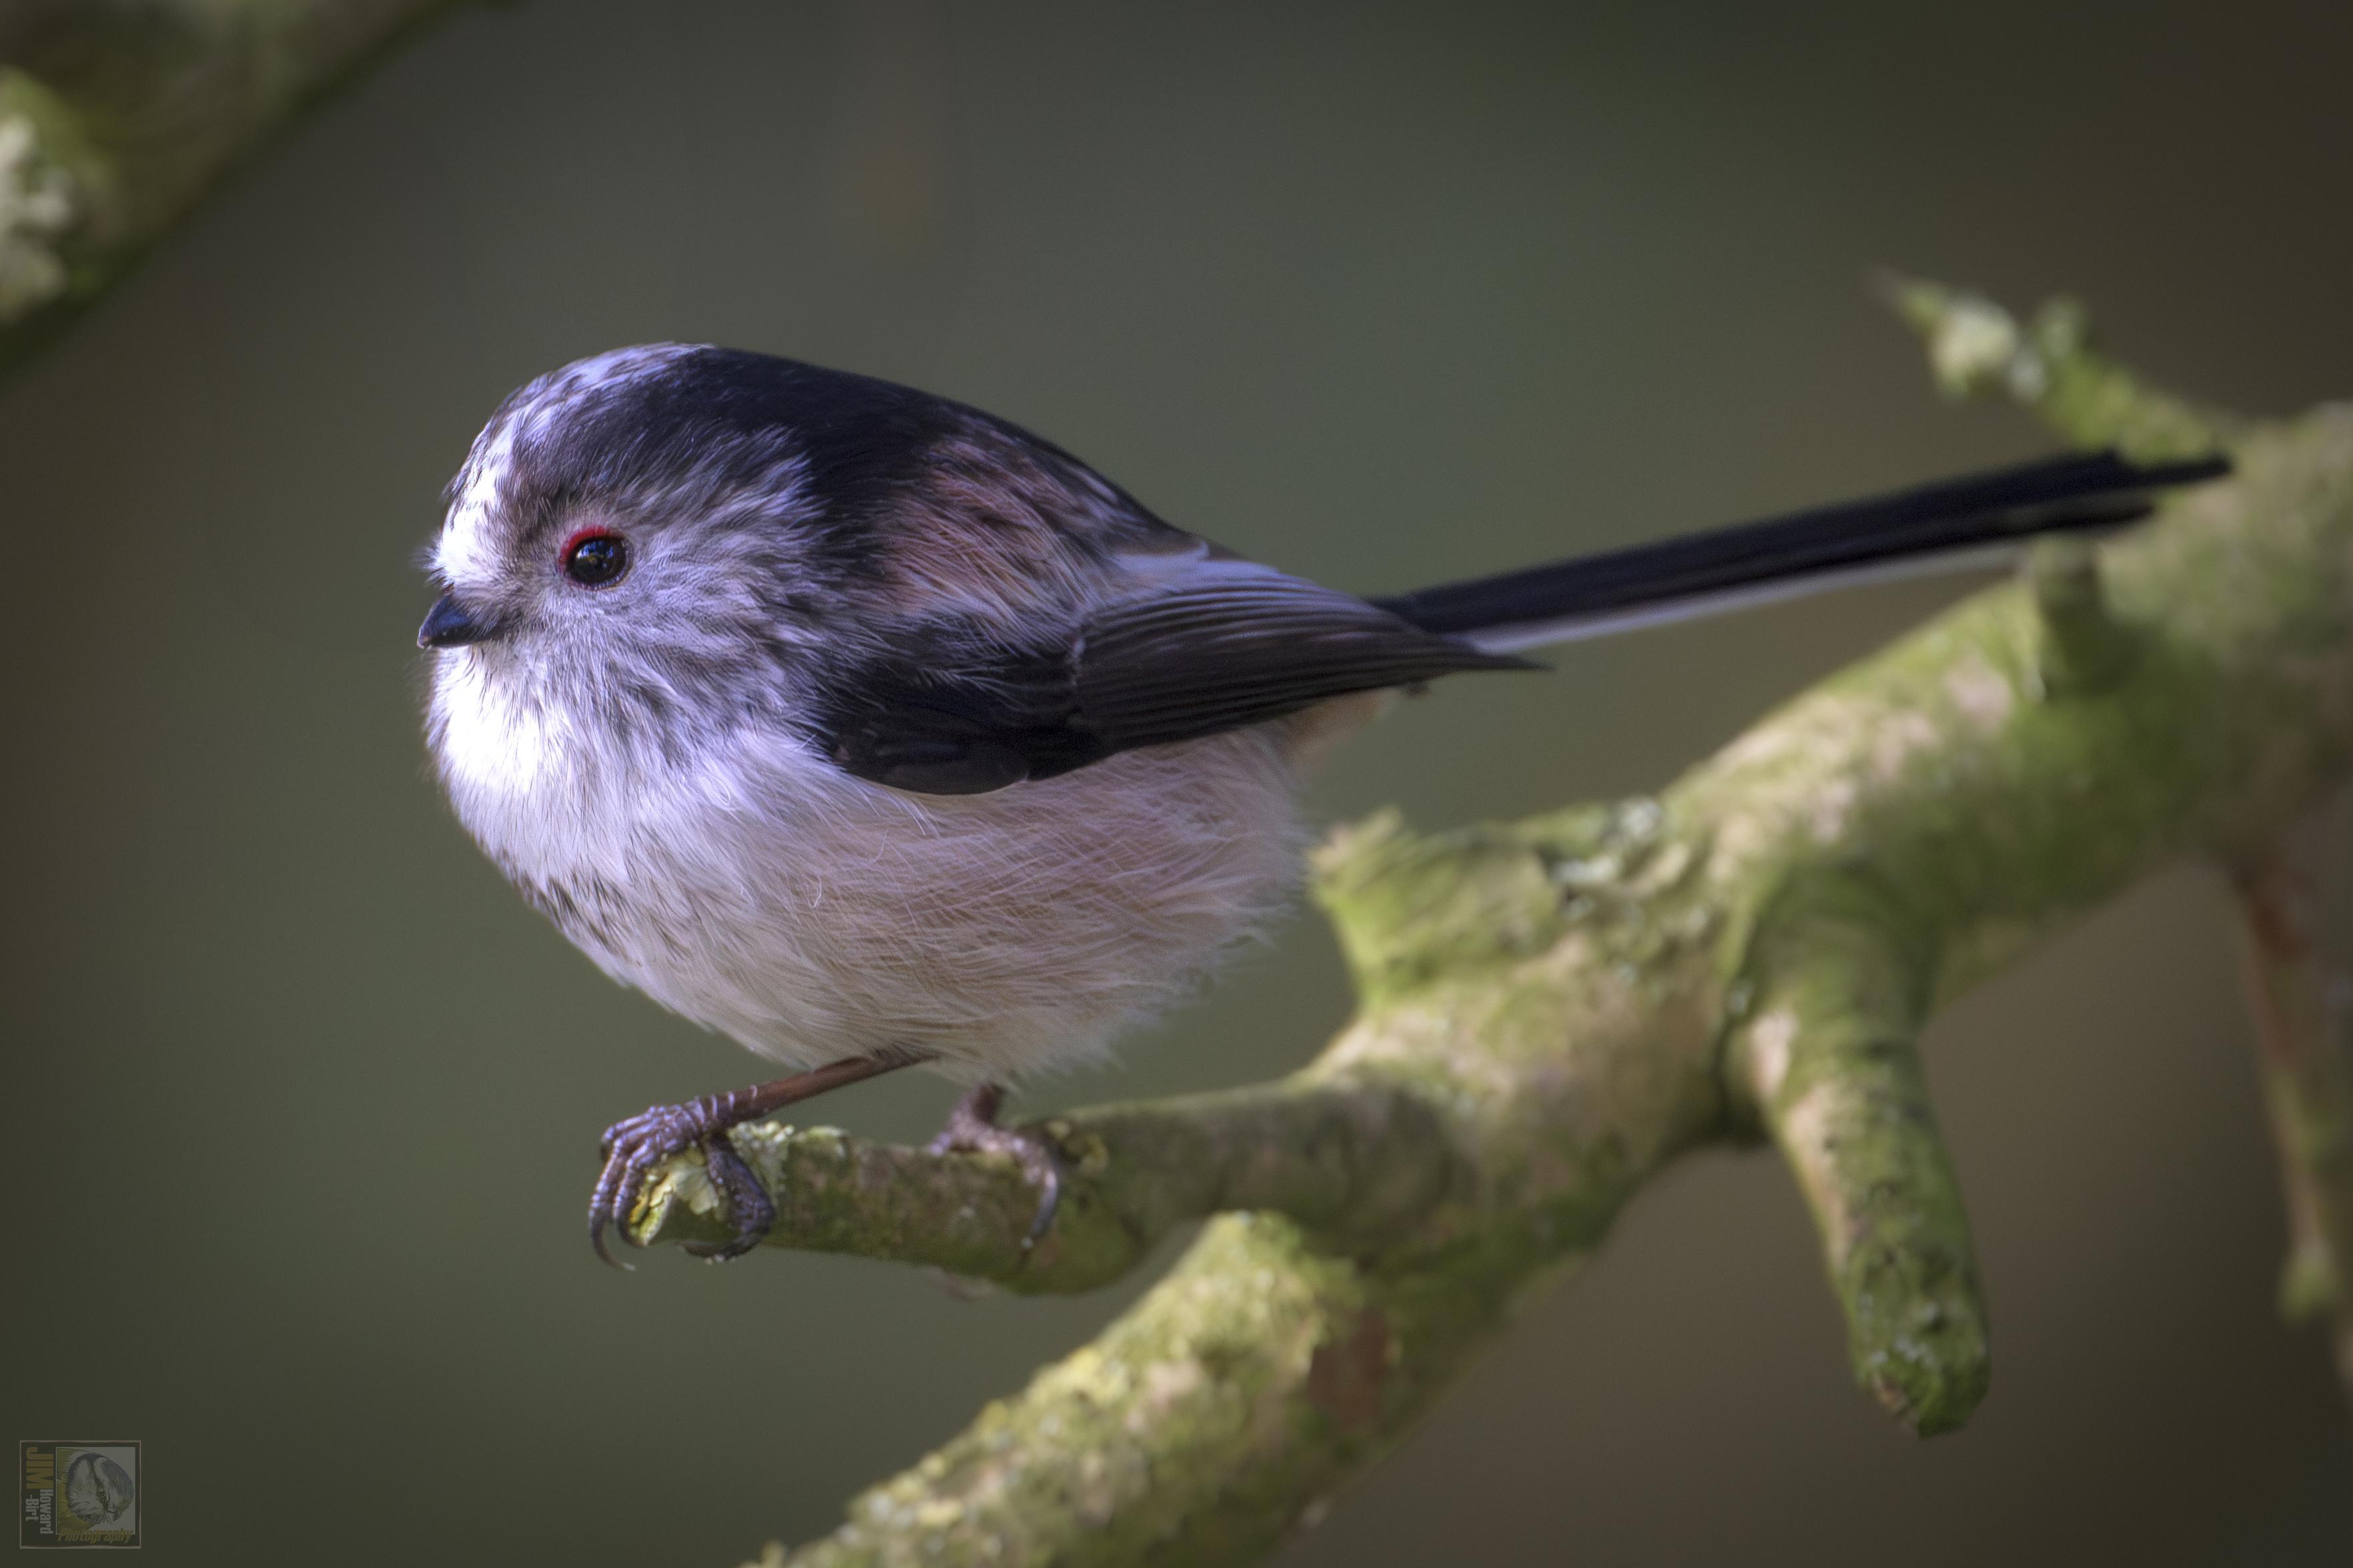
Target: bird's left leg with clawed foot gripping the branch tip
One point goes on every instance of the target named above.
(634, 1146)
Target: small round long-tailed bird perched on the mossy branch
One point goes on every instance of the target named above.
(879, 732)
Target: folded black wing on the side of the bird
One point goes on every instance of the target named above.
(1225, 648)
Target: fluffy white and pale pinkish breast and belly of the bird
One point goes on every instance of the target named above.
(815, 916)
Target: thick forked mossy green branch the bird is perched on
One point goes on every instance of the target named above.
(1554, 1010)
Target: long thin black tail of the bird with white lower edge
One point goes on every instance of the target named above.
(1975, 521)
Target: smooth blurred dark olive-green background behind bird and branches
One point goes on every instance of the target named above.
(300, 1099)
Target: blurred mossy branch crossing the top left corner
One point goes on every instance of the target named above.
(121, 116)
